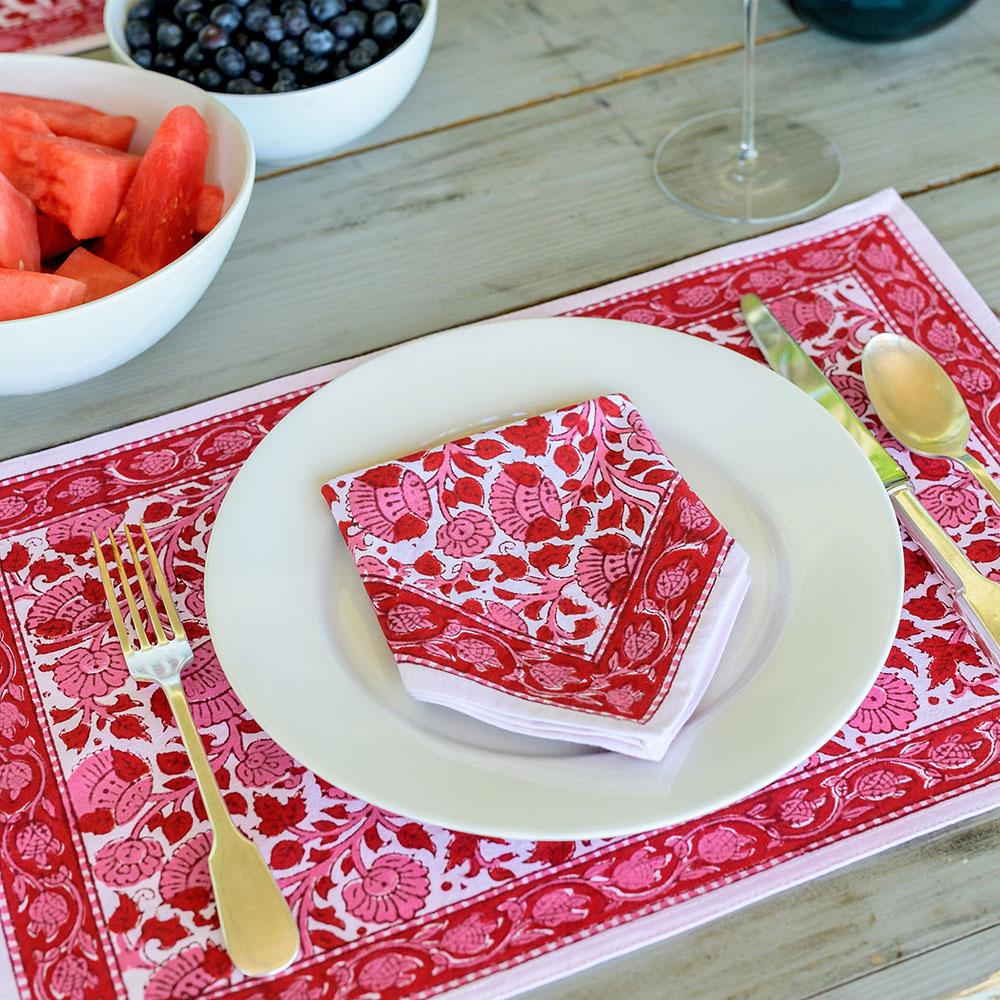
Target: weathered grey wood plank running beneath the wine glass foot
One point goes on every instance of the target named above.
(475, 221)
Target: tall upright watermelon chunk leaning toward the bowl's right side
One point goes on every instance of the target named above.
(156, 222)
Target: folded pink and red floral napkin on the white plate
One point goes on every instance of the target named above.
(556, 577)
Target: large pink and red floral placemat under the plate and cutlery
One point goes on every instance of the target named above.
(105, 890)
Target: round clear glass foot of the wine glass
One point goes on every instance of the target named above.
(697, 164)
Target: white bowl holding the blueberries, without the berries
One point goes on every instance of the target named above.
(308, 124)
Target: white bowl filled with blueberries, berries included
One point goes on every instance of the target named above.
(305, 77)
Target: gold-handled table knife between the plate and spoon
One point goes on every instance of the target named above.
(976, 597)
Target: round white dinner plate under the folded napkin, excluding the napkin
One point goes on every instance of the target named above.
(297, 637)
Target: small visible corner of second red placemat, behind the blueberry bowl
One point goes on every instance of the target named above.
(66, 25)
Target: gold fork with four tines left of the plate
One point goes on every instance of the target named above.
(257, 925)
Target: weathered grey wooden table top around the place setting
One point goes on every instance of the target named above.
(519, 170)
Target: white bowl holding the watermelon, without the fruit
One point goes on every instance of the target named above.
(61, 348)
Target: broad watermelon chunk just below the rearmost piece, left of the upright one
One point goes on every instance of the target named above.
(78, 183)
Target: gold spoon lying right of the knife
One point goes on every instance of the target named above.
(919, 404)
